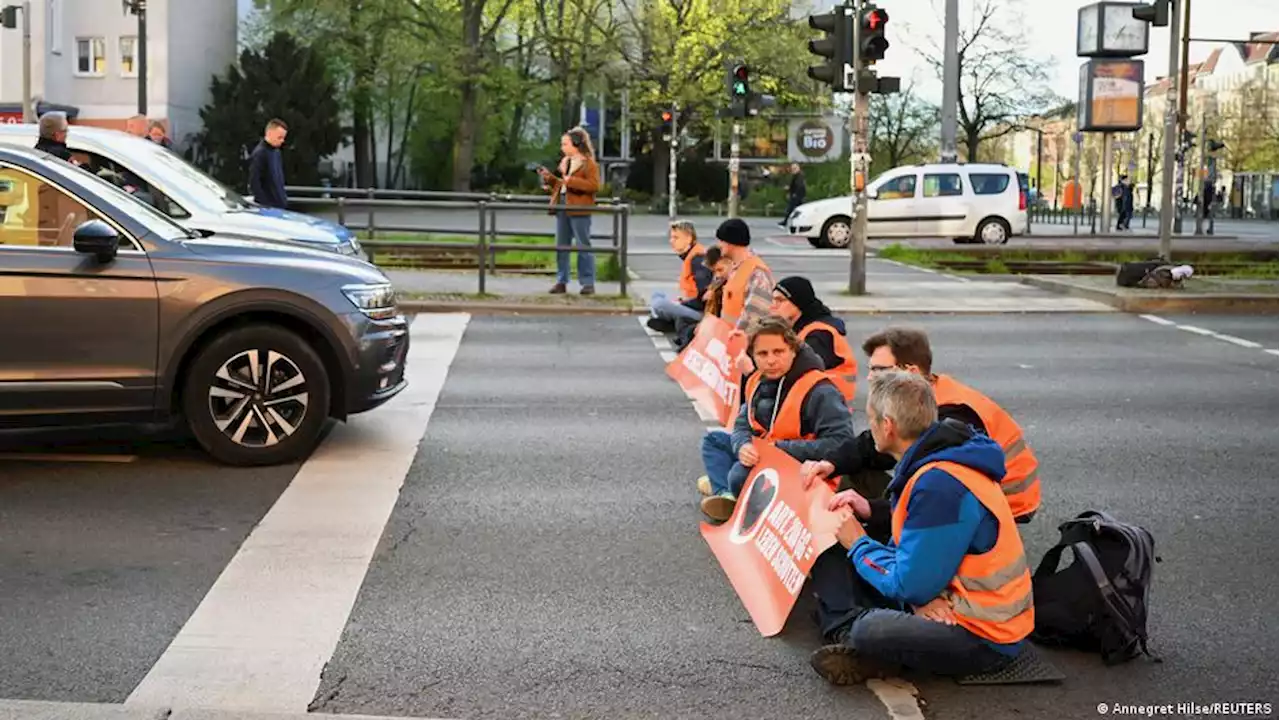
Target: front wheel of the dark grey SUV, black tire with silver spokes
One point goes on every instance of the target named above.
(264, 416)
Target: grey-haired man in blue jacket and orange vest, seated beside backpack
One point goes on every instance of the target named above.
(950, 594)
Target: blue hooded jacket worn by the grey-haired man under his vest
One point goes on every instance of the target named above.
(944, 521)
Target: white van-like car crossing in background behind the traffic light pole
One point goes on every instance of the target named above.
(970, 203)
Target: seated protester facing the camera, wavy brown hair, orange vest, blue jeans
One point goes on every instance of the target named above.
(790, 403)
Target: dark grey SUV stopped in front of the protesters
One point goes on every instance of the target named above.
(111, 313)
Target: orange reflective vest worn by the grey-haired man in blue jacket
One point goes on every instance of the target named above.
(991, 594)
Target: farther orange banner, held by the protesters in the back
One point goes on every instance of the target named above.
(706, 370)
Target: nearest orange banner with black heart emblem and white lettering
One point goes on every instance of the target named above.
(771, 543)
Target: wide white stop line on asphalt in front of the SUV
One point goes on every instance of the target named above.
(264, 632)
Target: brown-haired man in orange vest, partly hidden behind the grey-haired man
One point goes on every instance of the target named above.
(908, 349)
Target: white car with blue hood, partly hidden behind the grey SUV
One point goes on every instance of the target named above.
(189, 197)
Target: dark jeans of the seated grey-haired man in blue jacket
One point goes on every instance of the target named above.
(883, 634)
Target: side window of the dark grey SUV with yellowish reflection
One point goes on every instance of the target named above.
(36, 213)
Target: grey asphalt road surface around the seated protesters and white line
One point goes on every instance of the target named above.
(545, 559)
